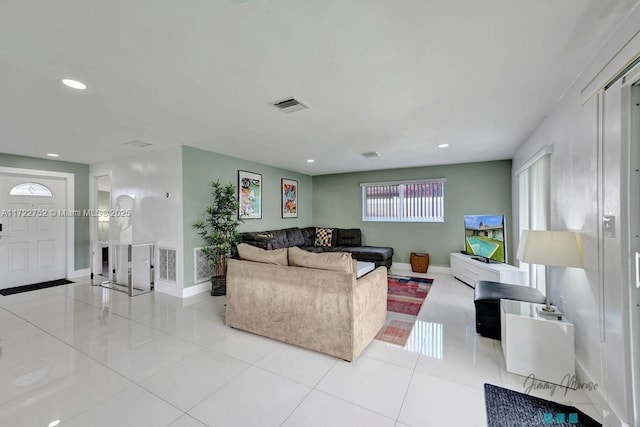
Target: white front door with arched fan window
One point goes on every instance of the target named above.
(32, 239)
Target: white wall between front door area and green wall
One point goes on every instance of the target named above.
(148, 177)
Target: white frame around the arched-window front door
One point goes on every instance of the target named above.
(69, 224)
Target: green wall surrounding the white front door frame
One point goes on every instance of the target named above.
(81, 196)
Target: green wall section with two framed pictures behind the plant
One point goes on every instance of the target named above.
(200, 167)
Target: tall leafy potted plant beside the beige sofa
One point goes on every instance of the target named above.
(219, 231)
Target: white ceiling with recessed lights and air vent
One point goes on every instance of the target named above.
(398, 77)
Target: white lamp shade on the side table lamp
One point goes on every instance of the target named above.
(555, 248)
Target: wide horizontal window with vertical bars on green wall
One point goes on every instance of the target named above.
(404, 201)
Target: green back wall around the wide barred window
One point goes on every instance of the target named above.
(471, 188)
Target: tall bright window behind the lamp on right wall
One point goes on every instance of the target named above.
(534, 206)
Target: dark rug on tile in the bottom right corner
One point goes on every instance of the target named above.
(508, 408)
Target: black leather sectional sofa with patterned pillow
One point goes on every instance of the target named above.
(342, 240)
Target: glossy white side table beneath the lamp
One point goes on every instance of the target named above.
(535, 344)
